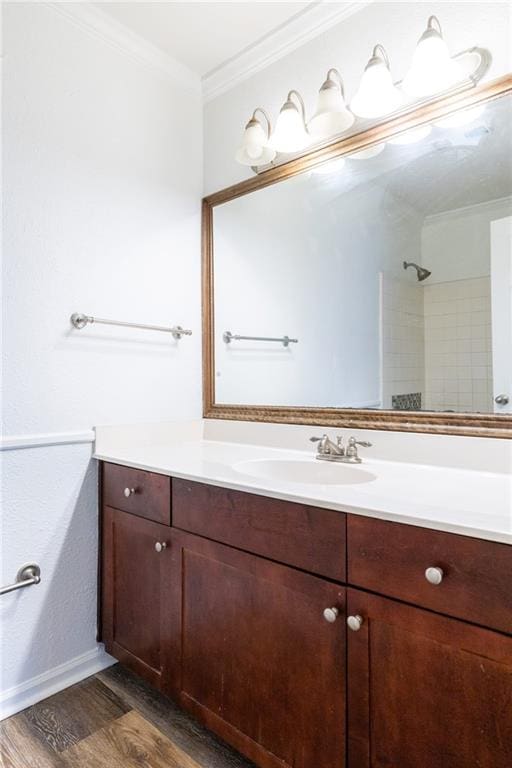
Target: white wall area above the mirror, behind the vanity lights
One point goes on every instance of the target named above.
(348, 45)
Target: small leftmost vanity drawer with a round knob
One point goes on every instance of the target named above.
(145, 494)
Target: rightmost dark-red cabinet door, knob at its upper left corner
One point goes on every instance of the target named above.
(426, 691)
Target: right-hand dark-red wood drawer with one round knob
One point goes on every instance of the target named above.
(392, 558)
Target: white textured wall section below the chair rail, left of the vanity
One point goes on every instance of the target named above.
(50, 517)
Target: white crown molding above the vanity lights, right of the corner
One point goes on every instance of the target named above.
(315, 19)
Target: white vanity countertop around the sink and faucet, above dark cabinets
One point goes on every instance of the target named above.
(453, 499)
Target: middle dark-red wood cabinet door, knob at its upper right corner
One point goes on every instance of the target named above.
(260, 664)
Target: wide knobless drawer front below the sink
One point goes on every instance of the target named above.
(306, 537)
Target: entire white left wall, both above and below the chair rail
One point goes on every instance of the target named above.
(102, 185)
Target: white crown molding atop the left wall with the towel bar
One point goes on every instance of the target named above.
(108, 30)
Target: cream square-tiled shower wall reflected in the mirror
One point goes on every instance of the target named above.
(436, 341)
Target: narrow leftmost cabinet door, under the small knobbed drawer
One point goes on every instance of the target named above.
(136, 581)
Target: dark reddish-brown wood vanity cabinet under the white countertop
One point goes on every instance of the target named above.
(305, 636)
